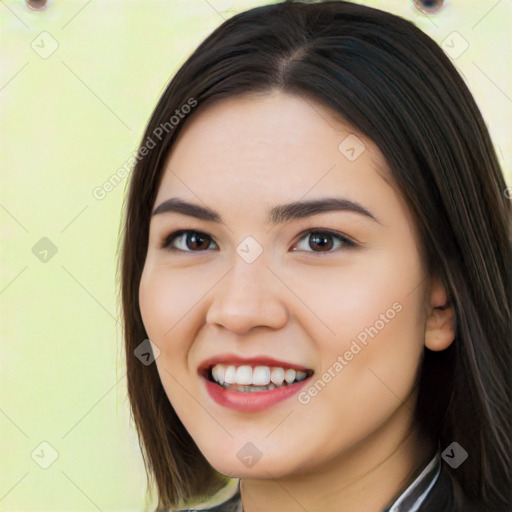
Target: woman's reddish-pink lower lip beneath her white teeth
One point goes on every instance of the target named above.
(251, 401)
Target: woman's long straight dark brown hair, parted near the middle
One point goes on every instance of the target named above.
(394, 84)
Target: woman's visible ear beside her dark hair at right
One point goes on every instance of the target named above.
(440, 323)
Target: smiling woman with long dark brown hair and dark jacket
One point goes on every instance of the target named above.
(317, 243)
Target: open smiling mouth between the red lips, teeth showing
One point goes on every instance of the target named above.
(254, 379)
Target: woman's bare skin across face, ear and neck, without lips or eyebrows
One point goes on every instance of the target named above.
(354, 446)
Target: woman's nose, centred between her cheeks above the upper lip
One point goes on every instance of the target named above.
(249, 296)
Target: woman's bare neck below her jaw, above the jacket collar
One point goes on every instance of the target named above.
(365, 477)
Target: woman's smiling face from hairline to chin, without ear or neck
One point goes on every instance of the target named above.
(259, 291)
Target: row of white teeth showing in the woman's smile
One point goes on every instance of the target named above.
(263, 376)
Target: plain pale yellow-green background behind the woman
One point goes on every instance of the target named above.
(69, 120)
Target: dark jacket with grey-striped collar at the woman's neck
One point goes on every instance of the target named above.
(432, 490)
